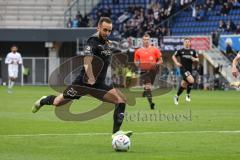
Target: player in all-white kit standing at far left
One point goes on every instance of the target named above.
(13, 60)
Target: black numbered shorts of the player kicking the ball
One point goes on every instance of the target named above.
(75, 91)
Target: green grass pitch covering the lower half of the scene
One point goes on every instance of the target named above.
(205, 129)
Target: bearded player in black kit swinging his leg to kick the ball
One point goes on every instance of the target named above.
(98, 48)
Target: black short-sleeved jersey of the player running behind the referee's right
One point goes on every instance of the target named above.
(185, 57)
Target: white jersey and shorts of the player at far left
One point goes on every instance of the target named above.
(13, 60)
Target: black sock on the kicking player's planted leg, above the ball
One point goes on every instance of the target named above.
(118, 116)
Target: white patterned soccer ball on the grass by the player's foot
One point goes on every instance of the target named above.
(121, 143)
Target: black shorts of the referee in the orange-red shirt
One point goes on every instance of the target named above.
(148, 76)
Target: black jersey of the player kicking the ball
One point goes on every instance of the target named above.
(101, 51)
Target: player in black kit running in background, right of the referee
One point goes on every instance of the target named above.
(187, 56)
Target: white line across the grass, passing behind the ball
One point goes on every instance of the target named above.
(108, 134)
